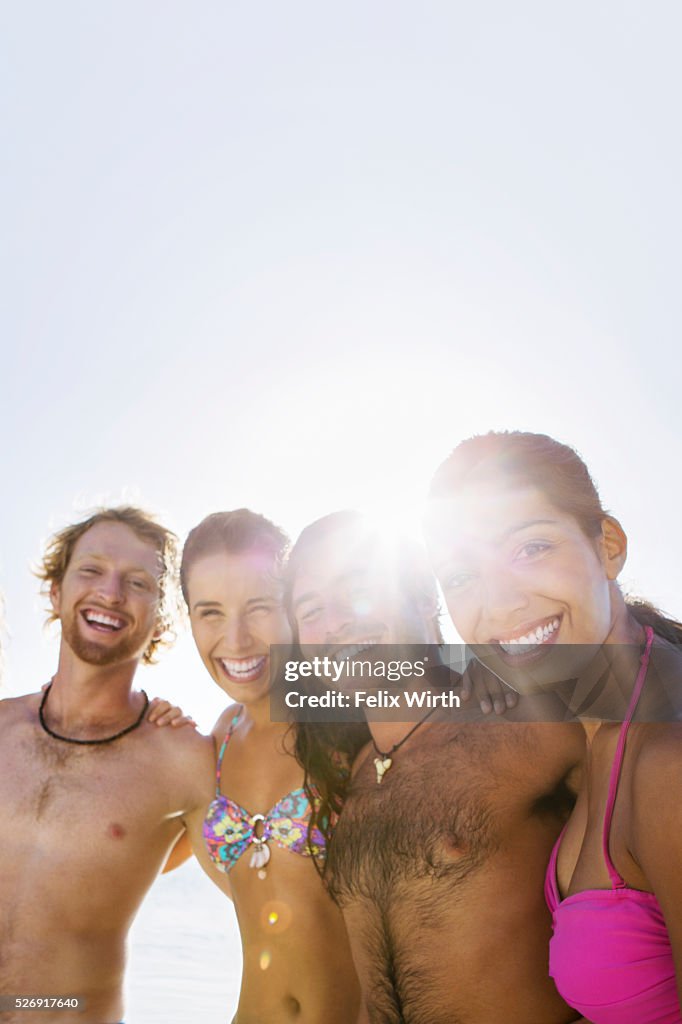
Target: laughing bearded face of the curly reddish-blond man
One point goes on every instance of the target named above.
(108, 602)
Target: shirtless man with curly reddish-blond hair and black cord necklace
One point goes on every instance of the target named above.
(93, 796)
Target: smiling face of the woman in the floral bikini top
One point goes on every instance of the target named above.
(237, 612)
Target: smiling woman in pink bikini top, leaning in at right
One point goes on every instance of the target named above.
(538, 568)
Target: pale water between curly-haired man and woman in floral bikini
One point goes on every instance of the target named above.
(185, 962)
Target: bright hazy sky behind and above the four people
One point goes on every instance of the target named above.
(287, 255)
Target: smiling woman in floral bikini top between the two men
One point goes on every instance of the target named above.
(263, 840)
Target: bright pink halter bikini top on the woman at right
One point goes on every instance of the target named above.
(611, 955)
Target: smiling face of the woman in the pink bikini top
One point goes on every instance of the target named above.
(521, 577)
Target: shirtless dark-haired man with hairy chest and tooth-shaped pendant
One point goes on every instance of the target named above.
(440, 868)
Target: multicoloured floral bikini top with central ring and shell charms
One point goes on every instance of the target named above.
(230, 830)
